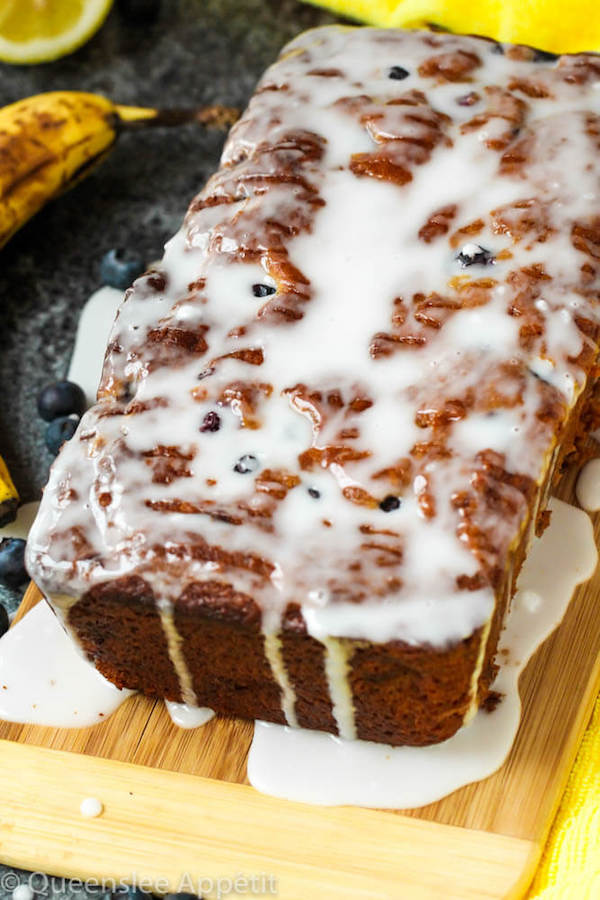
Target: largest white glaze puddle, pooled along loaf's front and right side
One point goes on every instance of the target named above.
(313, 767)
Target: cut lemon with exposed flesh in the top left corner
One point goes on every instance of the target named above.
(41, 30)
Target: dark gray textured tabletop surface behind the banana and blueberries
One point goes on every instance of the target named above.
(198, 51)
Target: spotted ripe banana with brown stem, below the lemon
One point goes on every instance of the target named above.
(50, 141)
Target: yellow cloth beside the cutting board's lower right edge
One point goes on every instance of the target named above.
(570, 866)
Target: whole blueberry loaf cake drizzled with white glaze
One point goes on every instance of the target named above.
(329, 421)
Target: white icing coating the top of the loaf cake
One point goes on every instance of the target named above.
(354, 234)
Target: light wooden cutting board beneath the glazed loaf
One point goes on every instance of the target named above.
(177, 803)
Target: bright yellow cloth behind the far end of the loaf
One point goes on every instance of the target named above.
(549, 24)
